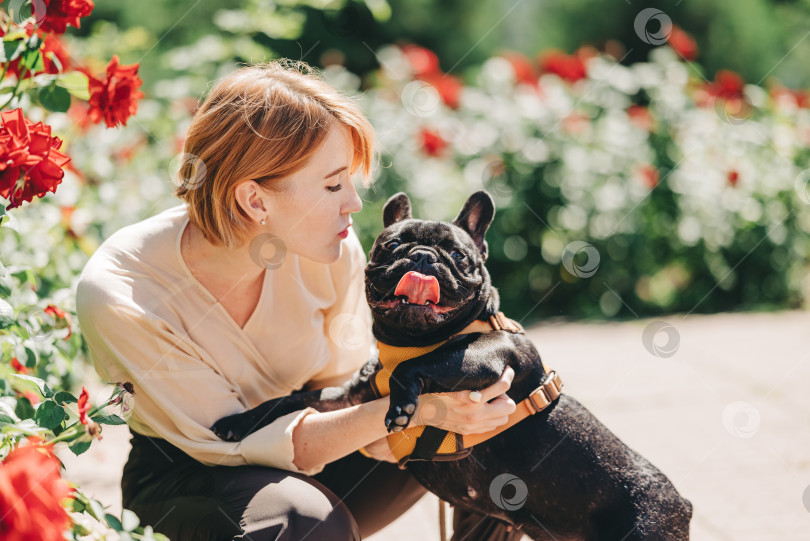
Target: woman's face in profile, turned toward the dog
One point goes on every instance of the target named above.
(314, 204)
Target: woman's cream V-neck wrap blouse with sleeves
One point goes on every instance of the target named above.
(147, 320)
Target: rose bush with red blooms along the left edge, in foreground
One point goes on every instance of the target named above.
(37, 343)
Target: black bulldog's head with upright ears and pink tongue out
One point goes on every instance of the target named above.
(421, 274)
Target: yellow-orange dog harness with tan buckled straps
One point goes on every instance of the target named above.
(431, 443)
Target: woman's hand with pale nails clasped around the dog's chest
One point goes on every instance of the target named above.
(457, 412)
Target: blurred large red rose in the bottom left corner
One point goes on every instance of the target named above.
(31, 494)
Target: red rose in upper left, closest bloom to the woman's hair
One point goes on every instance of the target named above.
(116, 98)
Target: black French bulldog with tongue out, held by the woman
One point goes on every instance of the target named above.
(581, 481)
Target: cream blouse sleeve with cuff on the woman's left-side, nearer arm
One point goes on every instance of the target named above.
(178, 393)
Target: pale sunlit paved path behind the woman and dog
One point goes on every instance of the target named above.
(726, 417)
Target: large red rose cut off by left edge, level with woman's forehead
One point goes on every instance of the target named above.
(30, 163)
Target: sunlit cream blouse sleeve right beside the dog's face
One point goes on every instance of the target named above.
(347, 323)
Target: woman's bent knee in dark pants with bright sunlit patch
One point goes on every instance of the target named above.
(297, 508)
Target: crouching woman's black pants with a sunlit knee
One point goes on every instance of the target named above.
(351, 498)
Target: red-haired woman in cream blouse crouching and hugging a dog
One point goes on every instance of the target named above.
(247, 291)
